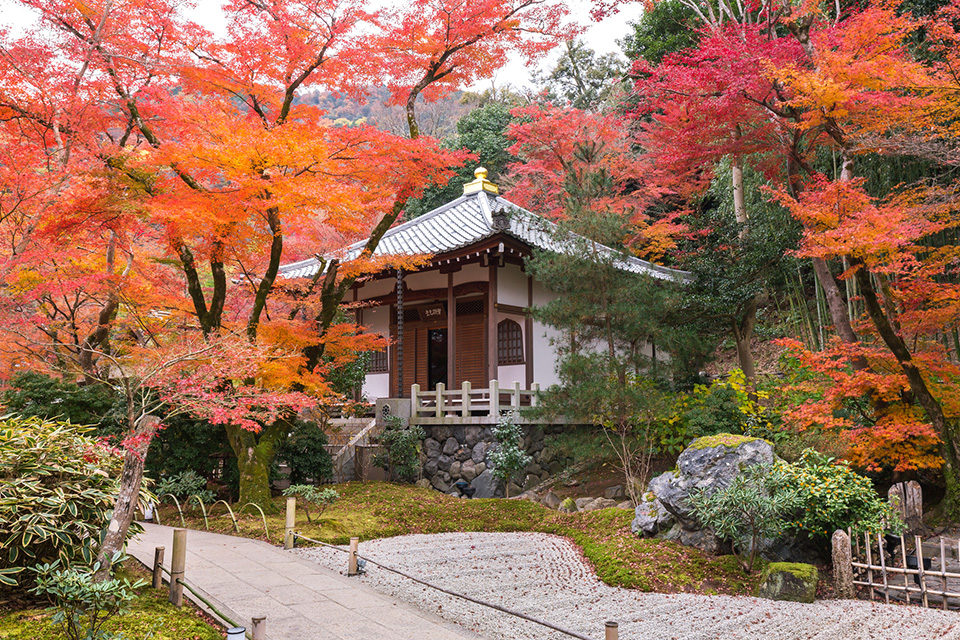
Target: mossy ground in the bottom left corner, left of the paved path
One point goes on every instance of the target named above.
(149, 616)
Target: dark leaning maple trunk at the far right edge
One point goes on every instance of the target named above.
(947, 429)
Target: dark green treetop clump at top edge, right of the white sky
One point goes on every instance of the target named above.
(665, 27)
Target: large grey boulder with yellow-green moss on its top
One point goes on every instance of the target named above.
(708, 463)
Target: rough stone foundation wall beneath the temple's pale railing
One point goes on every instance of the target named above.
(461, 452)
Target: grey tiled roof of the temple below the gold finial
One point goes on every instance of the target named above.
(465, 221)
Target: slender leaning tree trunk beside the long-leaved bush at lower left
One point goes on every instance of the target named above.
(125, 504)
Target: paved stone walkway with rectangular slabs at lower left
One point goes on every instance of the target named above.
(301, 599)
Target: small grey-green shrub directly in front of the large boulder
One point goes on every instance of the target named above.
(745, 511)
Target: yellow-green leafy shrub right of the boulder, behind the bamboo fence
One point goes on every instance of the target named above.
(829, 496)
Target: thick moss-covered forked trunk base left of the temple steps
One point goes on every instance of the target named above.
(255, 453)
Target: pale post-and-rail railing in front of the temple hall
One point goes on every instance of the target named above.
(467, 402)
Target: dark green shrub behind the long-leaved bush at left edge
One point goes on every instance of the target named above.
(32, 394)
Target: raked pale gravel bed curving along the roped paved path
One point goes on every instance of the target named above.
(544, 576)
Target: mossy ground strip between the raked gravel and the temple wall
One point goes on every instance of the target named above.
(383, 510)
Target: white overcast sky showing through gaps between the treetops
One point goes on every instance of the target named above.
(600, 36)
